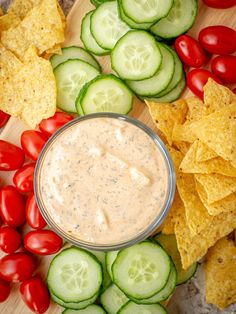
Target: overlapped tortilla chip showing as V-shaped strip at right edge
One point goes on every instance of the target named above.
(225, 205)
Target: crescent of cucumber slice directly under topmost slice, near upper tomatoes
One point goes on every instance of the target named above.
(159, 81)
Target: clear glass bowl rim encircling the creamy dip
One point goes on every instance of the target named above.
(152, 227)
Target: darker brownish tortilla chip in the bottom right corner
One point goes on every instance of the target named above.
(220, 274)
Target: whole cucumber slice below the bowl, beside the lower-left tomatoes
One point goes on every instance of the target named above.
(74, 275)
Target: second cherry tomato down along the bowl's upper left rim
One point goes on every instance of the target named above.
(32, 143)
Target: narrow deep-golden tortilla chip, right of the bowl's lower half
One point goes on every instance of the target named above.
(197, 216)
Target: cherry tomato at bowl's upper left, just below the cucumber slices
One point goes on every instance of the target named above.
(51, 125)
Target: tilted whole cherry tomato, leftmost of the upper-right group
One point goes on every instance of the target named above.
(190, 51)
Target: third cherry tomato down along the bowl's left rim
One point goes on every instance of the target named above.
(24, 178)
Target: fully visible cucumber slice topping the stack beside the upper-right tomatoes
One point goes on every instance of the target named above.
(136, 56)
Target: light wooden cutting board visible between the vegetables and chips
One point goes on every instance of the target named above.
(13, 129)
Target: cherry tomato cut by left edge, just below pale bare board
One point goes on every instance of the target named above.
(12, 157)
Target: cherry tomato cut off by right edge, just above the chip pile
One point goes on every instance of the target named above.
(225, 68)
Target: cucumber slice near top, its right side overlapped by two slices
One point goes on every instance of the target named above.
(106, 26)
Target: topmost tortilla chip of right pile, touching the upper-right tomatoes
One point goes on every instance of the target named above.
(217, 96)
